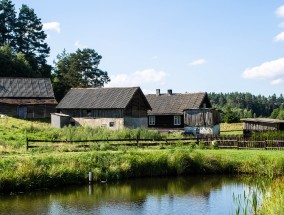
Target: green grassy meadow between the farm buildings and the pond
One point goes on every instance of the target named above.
(66, 164)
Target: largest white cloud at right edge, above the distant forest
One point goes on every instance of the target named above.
(268, 70)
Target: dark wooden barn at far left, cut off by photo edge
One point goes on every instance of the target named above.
(27, 97)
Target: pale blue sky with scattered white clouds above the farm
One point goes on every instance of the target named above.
(184, 45)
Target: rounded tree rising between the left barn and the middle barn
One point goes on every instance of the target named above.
(79, 69)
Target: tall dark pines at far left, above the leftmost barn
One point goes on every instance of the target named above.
(25, 38)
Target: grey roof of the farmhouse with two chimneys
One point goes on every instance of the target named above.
(176, 103)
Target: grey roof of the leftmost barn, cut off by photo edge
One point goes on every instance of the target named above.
(26, 88)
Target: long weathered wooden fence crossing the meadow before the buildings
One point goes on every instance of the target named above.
(229, 142)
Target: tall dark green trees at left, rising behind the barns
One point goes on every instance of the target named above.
(24, 53)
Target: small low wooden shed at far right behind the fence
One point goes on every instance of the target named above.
(262, 124)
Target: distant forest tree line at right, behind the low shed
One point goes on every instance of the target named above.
(236, 105)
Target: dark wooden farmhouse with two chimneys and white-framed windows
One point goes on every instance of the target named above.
(189, 111)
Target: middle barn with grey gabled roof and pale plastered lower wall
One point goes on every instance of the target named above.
(106, 107)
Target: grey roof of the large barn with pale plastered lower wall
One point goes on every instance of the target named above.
(99, 98)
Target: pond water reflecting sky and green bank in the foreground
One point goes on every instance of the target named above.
(183, 195)
